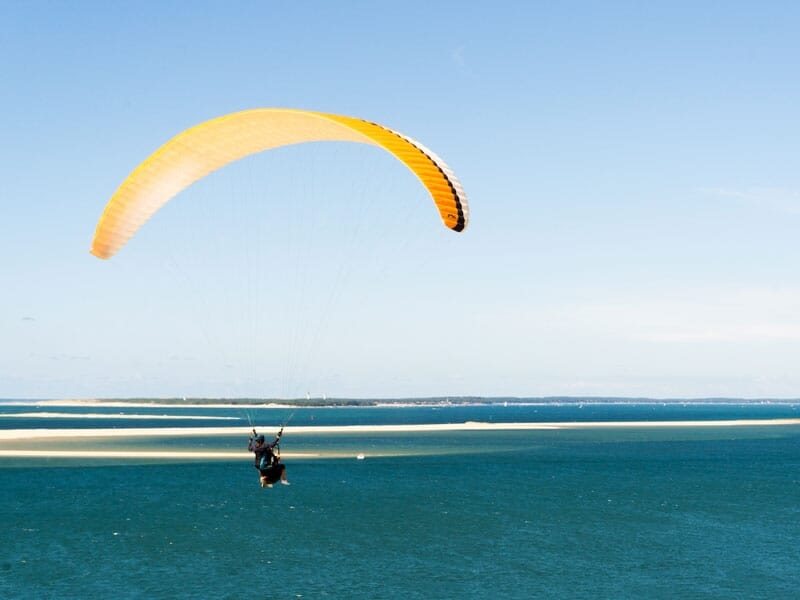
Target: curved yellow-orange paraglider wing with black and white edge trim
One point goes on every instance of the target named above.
(204, 148)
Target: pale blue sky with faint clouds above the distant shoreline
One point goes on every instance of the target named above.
(631, 168)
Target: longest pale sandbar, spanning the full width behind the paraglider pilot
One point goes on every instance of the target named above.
(20, 434)
